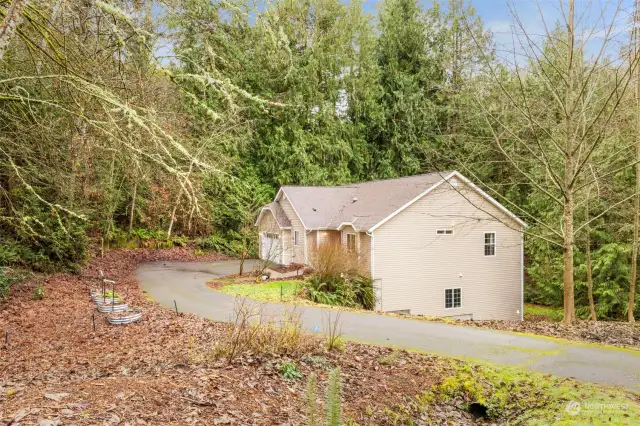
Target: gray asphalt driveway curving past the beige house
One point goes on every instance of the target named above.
(185, 283)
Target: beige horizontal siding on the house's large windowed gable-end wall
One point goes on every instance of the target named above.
(413, 265)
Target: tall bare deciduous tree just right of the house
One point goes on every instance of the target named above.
(555, 114)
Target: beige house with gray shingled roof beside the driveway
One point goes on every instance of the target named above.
(435, 244)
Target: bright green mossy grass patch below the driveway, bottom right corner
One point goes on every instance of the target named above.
(520, 396)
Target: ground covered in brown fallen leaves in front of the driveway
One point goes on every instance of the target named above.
(55, 369)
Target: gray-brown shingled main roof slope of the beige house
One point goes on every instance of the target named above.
(329, 206)
